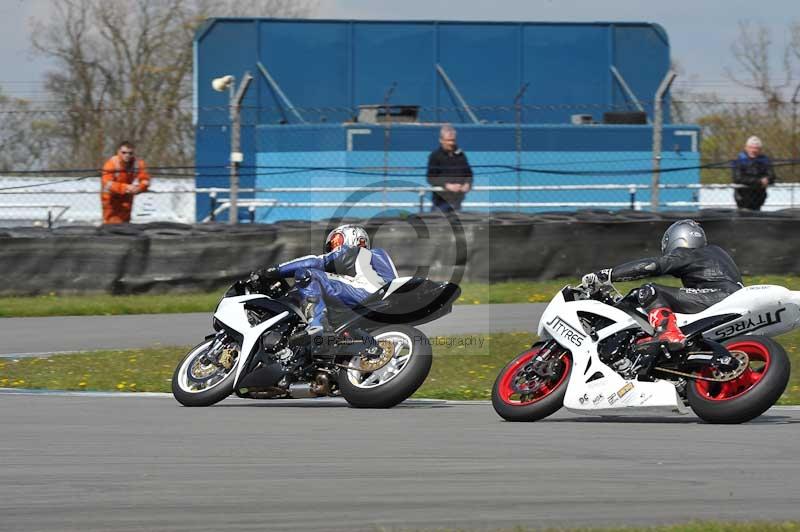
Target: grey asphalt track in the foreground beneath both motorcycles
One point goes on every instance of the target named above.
(145, 463)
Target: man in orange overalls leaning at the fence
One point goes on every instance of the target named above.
(119, 173)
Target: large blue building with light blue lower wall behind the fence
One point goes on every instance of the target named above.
(300, 115)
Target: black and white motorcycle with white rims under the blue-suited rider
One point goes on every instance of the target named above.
(374, 358)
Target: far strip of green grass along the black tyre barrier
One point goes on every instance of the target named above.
(472, 294)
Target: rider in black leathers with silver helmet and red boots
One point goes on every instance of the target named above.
(708, 274)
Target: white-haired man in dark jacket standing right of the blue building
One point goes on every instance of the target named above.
(753, 170)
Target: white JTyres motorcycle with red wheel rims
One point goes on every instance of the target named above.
(594, 357)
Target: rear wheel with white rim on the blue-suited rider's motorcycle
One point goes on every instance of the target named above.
(394, 381)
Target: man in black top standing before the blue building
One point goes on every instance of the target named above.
(448, 168)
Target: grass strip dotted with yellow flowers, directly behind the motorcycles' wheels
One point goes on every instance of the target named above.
(464, 368)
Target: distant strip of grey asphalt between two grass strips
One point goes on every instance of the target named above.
(33, 336)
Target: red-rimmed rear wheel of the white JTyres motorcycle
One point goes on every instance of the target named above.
(750, 394)
